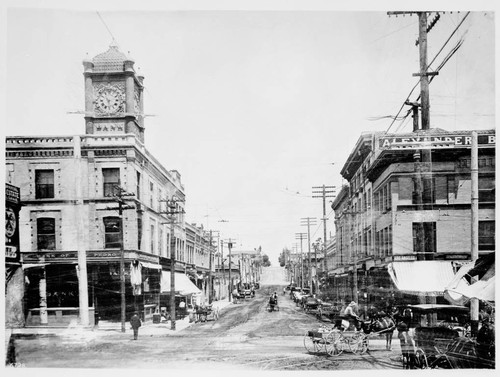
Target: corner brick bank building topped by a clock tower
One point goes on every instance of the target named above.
(71, 220)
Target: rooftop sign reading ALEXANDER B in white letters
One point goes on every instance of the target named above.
(435, 142)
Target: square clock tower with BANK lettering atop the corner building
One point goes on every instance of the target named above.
(113, 95)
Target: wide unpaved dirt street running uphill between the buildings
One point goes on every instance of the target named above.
(245, 337)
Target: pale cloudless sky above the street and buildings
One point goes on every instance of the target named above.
(254, 103)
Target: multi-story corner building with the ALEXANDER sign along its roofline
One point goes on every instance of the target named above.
(397, 210)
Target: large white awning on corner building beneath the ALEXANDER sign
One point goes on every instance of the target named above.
(421, 277)
